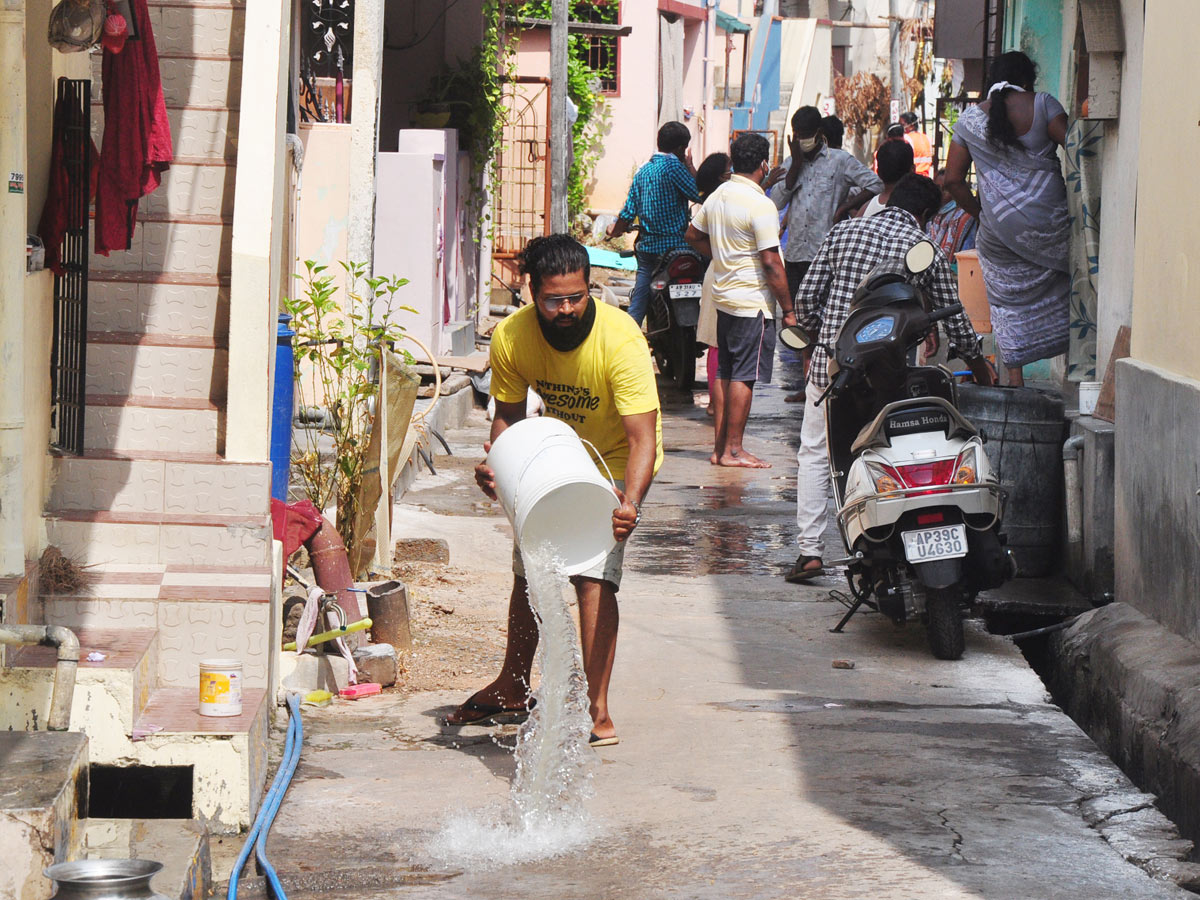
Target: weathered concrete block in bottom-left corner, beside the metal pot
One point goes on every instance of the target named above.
(44, 787)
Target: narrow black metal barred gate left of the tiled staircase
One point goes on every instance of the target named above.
(73, 124)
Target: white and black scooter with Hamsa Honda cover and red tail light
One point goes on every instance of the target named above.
(920, 508)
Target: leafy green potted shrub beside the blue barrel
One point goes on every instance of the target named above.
(338, 352)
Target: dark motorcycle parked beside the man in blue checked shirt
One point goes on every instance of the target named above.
(674, 314)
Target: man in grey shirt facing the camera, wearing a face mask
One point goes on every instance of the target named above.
(821, 187)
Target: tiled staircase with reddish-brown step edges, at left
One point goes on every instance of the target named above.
(176, 541)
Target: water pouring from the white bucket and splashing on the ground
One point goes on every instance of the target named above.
(545, 814)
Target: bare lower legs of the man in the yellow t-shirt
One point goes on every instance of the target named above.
(598, 635)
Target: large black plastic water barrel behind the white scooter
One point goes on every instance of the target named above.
(1027, 429)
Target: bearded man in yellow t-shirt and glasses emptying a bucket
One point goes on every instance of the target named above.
(592, 368)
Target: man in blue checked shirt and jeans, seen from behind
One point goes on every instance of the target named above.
(658, 200)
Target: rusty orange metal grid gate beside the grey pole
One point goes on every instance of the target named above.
(523, 170)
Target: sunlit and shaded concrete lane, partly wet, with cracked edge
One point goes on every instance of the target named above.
(749, 767)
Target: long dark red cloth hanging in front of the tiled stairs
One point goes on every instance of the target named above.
(136, 148)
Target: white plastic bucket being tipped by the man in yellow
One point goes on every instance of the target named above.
(553, 491)
